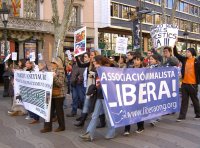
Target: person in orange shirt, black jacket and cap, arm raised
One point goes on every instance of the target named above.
(190, 80)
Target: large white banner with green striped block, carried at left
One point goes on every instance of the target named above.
(34, 90)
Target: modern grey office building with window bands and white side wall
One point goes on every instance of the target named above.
(120, 14)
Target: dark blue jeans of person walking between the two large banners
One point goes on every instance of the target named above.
(78, 94)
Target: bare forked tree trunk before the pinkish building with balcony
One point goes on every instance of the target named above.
(60, 26)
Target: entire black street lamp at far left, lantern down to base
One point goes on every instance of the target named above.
(4, 12)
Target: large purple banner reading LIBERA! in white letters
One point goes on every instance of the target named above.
(138, 94)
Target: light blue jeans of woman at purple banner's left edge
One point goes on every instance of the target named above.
(99, 106)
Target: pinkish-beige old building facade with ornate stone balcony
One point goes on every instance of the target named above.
(30, 27)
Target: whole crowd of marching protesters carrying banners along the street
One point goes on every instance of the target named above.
(83, 84)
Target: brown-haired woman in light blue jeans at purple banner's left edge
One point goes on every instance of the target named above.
(99, 105)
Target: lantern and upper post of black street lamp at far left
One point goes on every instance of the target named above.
(4, 12)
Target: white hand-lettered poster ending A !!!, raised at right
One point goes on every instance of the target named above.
(164, 35)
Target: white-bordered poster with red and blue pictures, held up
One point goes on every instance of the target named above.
(80, 41)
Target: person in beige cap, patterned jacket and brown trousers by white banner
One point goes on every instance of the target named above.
(57, 102)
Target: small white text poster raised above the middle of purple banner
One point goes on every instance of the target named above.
(121, 45)
